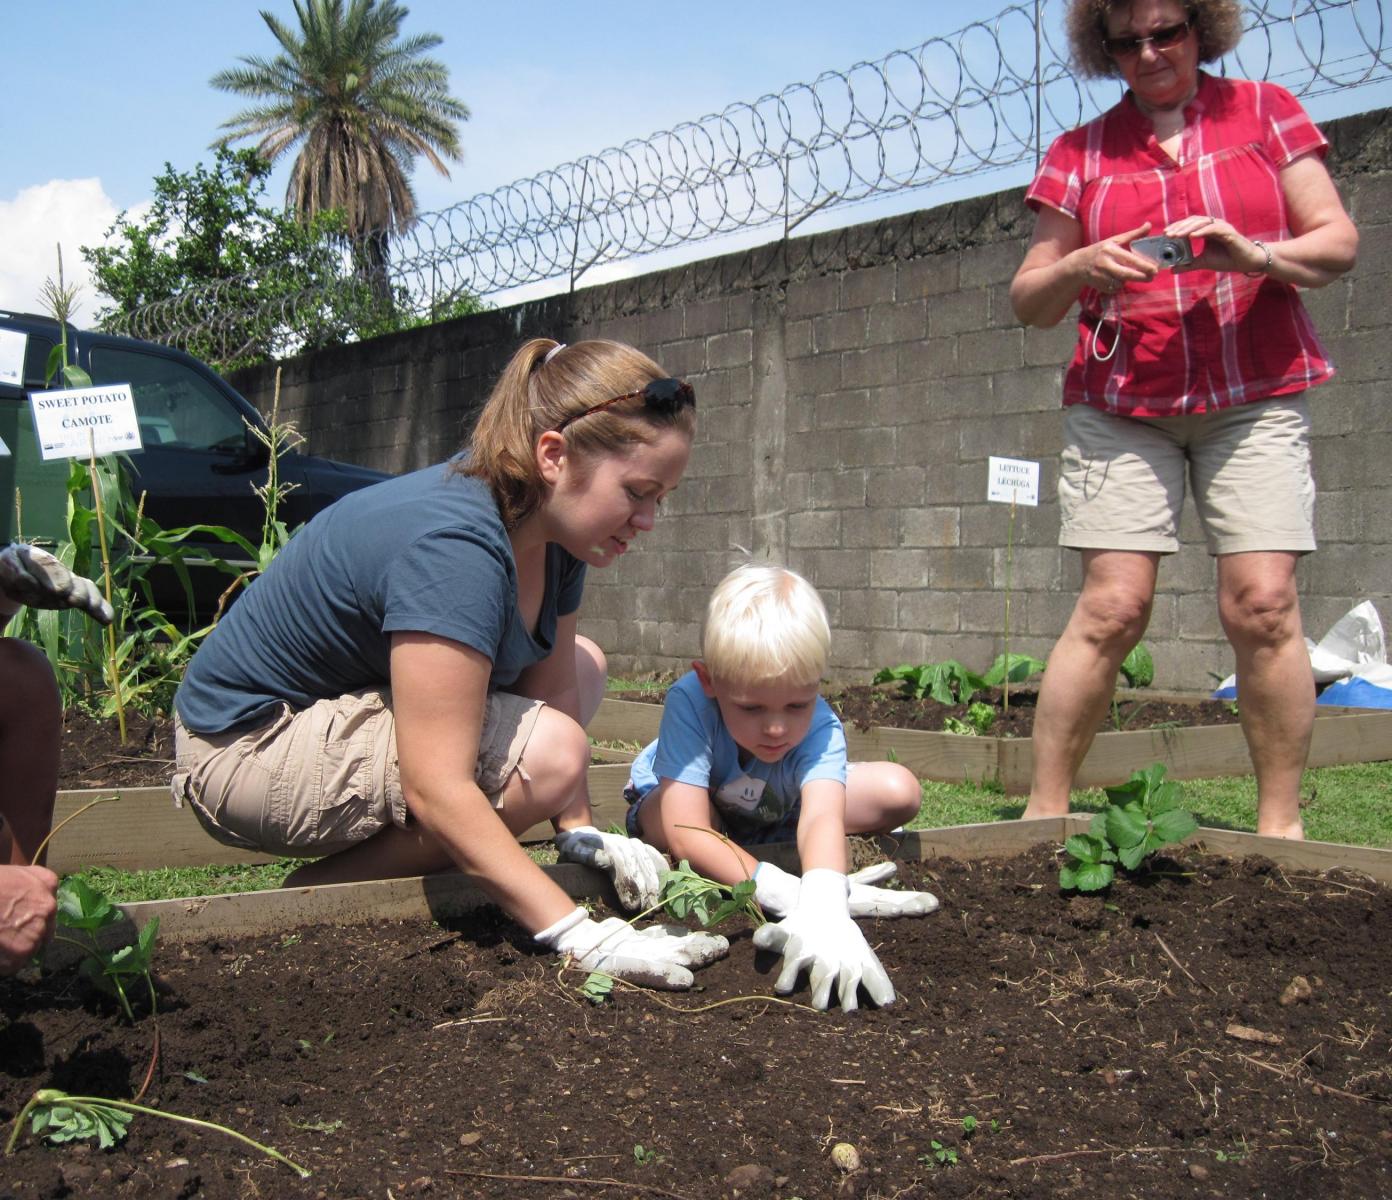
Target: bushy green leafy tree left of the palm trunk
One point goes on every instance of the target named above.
(233, 281)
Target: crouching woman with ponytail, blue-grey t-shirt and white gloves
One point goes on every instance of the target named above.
(404, 691)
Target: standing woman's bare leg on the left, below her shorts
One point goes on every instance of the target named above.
(1109, 620)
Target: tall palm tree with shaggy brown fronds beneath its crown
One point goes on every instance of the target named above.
(364, 104)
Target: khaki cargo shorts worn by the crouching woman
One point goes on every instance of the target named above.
(318, 780)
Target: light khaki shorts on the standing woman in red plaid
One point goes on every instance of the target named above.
(1121, 482)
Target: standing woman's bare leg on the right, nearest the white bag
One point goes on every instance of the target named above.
(1260, 615)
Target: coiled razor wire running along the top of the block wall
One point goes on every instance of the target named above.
(957, 106)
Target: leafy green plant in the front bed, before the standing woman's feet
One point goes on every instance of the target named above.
(1142, 816)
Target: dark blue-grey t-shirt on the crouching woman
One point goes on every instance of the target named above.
(425, 552)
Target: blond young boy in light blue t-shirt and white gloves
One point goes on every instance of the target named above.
(750, 748)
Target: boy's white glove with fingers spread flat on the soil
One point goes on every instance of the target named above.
(822, 938)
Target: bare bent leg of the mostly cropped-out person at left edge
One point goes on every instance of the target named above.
(31, 730)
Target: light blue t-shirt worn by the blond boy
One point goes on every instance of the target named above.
(694, 747)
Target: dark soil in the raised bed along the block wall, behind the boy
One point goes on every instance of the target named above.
(865, 706)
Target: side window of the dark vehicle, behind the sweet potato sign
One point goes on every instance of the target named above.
(175, 406)
